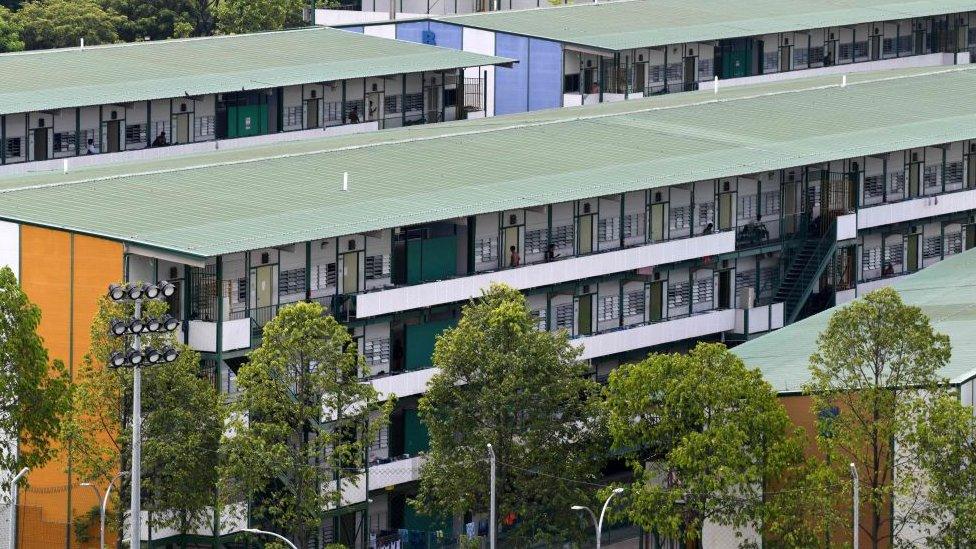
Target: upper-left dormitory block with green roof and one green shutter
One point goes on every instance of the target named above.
(194, 93)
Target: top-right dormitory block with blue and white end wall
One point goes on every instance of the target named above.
(591, 53)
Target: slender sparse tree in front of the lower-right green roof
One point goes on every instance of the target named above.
(875, 371)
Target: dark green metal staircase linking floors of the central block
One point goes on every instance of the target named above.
(804, 271)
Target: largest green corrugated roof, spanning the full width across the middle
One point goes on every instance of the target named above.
(274, 195)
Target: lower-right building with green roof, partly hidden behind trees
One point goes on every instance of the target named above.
(944, 292)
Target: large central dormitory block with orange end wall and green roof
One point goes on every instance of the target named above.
(687, 216)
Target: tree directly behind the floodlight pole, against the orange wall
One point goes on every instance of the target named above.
(182, 422)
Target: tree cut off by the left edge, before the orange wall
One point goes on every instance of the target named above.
(33, 390)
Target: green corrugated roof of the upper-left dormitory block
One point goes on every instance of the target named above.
(53, 79)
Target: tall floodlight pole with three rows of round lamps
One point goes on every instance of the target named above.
(134, 358)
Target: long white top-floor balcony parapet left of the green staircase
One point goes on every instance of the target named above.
(543, 274)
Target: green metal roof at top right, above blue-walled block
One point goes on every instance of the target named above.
(643, 23)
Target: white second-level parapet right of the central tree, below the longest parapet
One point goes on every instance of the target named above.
(649, 335)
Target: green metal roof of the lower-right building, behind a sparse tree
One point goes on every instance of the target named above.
(944, 291)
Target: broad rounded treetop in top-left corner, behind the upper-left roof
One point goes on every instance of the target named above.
(63, 23)
